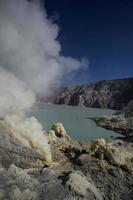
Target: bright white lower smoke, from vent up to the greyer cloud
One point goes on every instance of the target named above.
(14, 102)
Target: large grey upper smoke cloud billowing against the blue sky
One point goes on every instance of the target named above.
(29, 47)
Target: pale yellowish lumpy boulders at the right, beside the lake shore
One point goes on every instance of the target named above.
(118, 155)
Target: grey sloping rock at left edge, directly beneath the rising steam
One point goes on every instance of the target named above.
(12, 151)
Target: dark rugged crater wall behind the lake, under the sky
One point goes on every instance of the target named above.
(113, 94)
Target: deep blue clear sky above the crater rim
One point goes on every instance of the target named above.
(101, 31)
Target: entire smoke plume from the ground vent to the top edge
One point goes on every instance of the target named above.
(30, 63)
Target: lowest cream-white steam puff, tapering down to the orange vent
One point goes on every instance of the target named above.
(30, 133)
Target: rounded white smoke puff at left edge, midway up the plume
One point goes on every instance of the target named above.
(14, 98)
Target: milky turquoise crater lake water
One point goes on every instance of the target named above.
(75, 120)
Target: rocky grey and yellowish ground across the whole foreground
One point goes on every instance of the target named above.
(81, 170)
